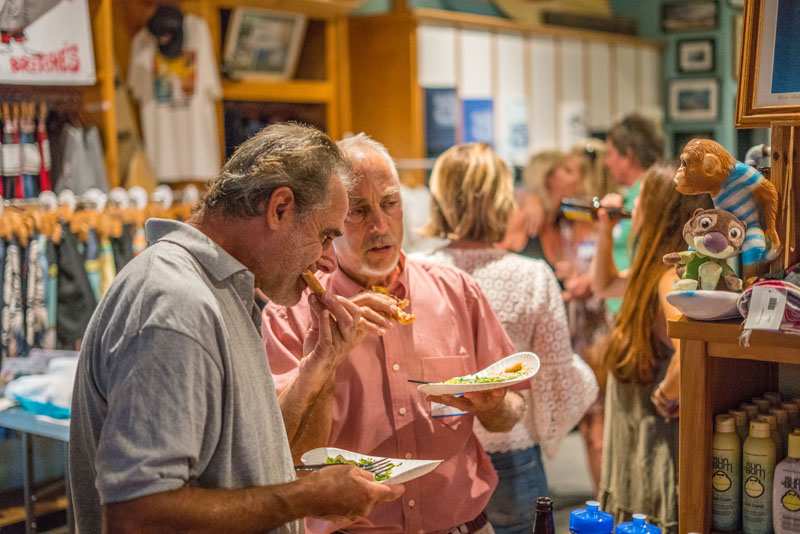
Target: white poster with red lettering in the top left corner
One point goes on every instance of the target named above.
(46, 42)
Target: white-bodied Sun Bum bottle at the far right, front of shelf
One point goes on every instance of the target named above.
(786, 490)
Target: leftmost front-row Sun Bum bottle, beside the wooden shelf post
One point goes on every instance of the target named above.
(726, 476)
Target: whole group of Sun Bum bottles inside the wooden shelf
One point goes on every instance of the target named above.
(750, 493)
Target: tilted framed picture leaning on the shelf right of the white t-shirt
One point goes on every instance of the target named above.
(263, 44)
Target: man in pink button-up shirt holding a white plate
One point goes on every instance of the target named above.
(372, 408)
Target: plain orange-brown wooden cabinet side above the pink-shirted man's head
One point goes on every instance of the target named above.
(385, 85)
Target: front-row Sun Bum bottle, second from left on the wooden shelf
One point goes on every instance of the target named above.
(757, 474)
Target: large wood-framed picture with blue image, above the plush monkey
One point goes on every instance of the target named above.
(769, 87)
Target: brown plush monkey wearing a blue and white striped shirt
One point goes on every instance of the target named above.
(706, 167)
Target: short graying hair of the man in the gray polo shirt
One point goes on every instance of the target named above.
(290, 155)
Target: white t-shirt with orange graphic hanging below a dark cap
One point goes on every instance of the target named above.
(177, 103)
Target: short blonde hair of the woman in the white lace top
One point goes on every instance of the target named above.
(472, 195)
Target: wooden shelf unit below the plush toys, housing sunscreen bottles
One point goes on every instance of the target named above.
(717, 374)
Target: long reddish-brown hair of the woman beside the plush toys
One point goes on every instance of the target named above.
(631, 352)
